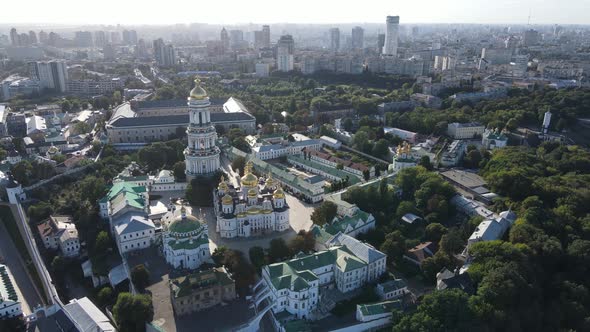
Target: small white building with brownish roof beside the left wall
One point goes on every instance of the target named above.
(60, 232)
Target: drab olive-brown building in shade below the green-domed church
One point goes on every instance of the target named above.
(201, 290)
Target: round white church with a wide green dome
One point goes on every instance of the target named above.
(185, 240)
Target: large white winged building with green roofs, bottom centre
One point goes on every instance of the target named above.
(294, 287)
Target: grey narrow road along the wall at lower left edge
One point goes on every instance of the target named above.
(24, 286)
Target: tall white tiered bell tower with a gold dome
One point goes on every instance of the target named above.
(201, 154)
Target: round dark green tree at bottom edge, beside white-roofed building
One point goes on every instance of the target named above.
(131, 312)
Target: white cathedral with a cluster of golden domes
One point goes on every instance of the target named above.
(256, 208)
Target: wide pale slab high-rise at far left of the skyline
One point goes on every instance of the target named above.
(50, 74)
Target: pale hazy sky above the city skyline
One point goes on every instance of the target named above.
(131, 12)
